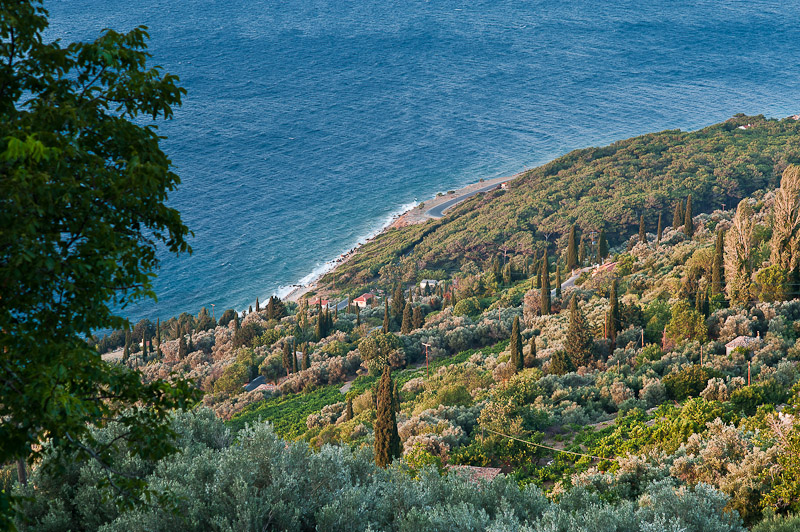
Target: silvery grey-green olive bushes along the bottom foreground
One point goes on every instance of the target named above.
(258, 482)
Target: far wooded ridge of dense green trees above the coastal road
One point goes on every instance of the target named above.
(595, 188)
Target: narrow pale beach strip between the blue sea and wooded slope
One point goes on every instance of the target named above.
(432, 208)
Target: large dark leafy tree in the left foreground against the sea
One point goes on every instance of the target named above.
(84, 185)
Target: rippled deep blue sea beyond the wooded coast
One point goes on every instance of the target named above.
(308, 124)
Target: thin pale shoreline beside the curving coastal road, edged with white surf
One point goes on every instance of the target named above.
(417, 214)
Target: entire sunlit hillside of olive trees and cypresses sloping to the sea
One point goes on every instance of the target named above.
(658, 390)
